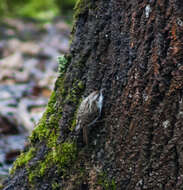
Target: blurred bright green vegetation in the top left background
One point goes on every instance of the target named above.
(37, 9)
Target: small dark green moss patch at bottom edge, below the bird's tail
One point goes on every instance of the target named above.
(107, 184)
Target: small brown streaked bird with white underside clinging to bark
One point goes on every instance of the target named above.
(88, 112)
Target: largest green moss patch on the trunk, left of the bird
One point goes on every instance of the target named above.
(60, 155)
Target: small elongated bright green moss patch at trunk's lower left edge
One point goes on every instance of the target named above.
(23, 159)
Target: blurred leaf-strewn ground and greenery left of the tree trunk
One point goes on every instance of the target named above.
(32, 34)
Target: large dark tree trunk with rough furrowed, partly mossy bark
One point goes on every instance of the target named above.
(133, 49)
